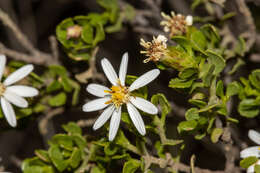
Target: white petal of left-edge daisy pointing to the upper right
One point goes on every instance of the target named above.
(18, 74)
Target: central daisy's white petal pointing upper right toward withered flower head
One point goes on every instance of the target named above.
(144, 79)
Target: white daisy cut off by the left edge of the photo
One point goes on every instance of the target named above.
(14, 93)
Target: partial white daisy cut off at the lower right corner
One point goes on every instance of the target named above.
(252, 151)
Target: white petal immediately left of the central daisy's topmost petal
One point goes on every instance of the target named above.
(109, 71)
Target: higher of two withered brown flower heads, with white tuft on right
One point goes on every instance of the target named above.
(176, 24)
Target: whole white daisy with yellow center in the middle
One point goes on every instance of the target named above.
(112, 99)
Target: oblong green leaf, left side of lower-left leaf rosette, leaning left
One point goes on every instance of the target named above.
(57, 158)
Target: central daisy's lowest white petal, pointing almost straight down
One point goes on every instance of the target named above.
(114, 124)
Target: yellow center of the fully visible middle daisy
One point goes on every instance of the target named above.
(119, 95)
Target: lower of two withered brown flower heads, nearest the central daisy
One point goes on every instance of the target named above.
(156, 49)
